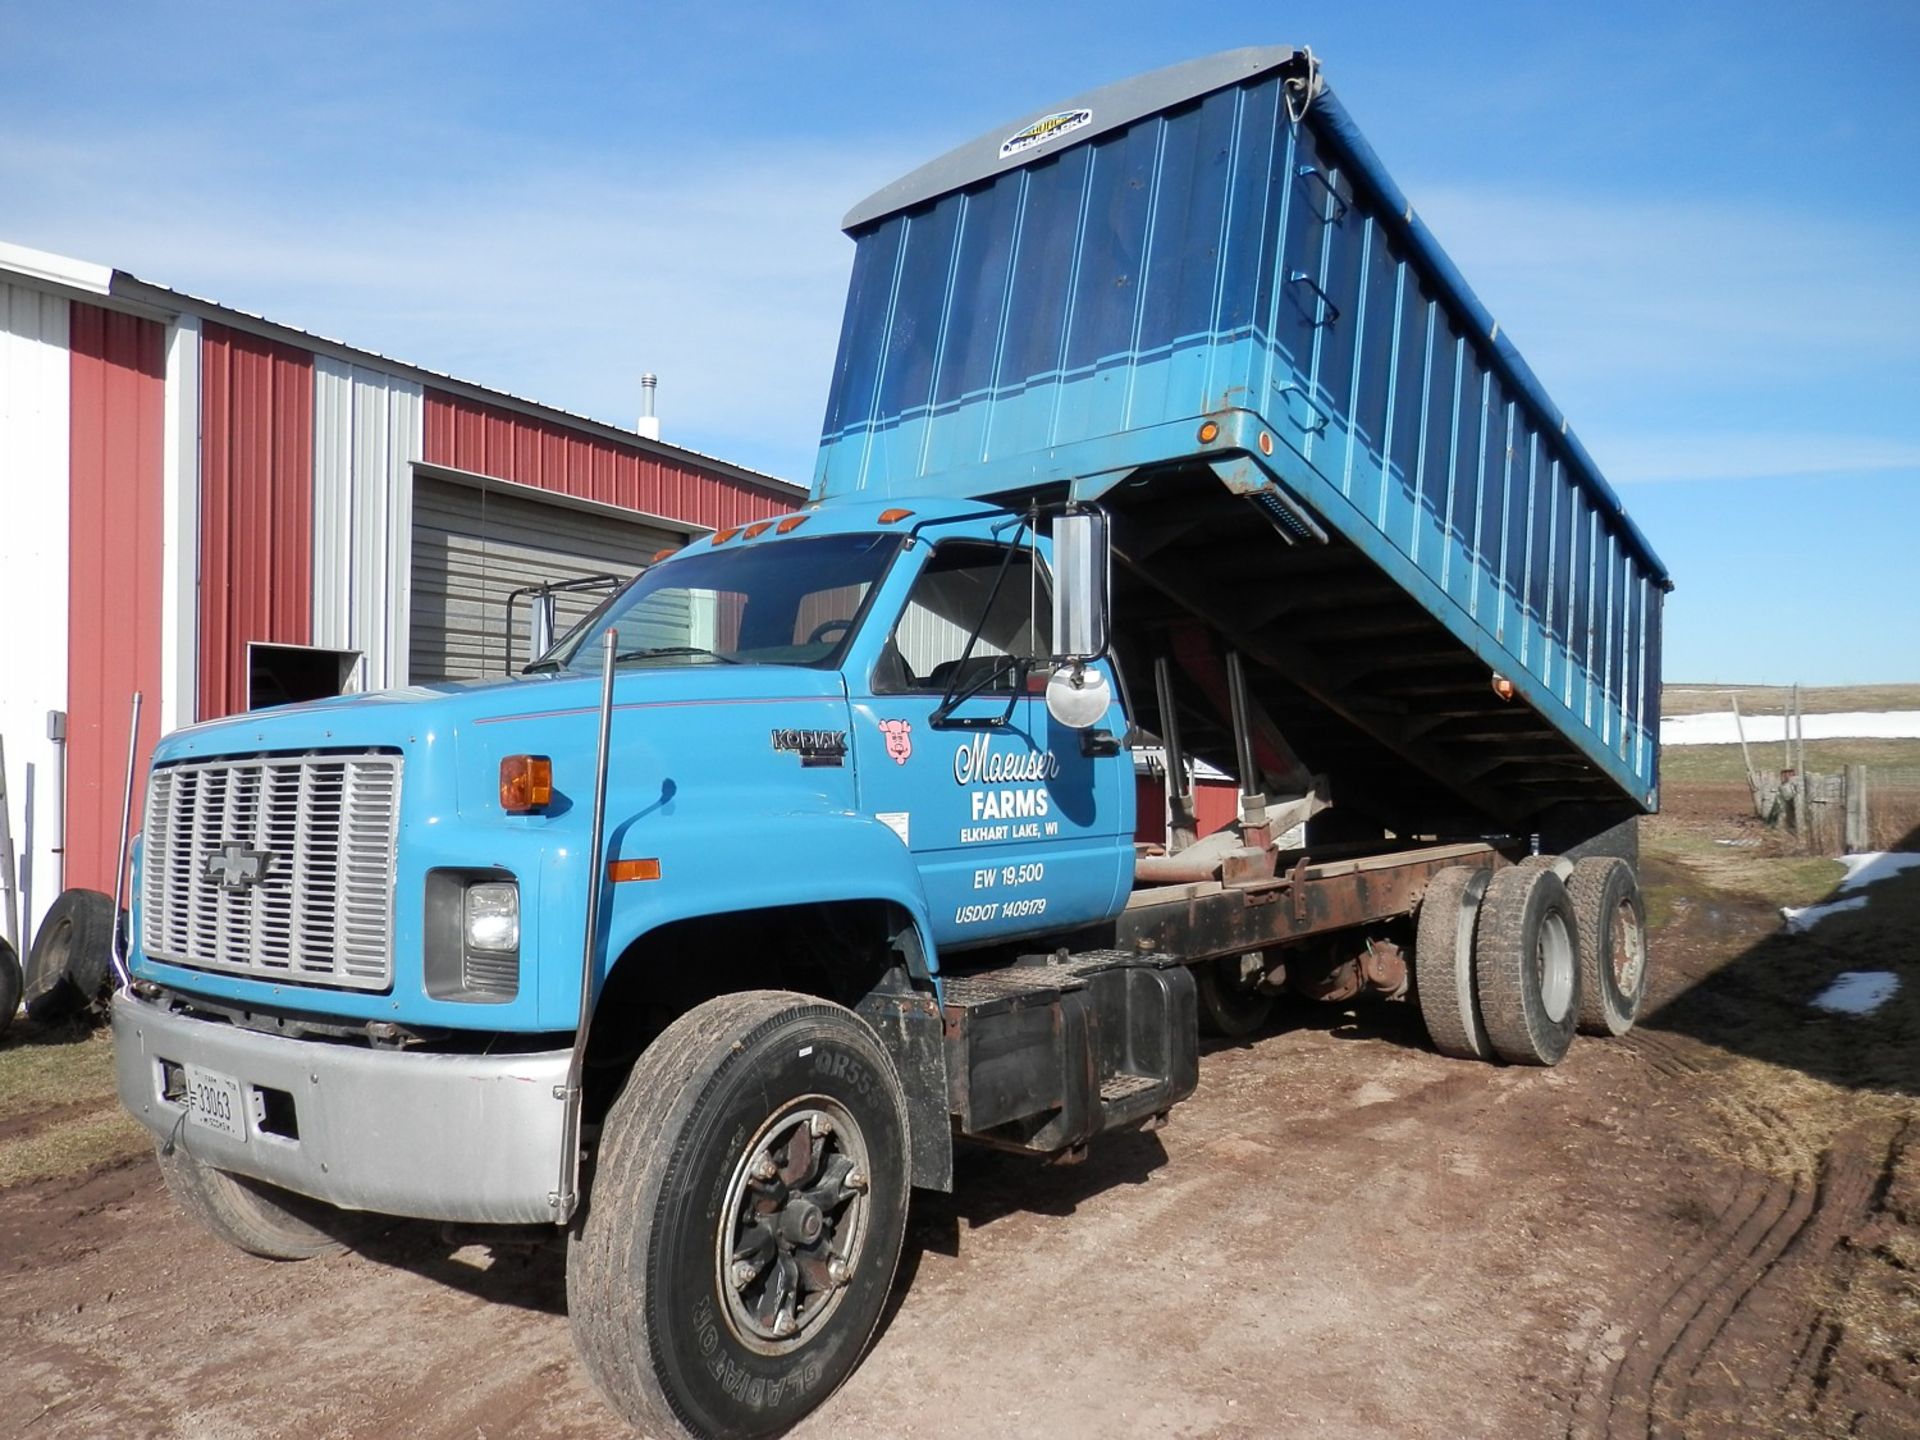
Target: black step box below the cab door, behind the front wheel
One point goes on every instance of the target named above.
(1049, 1053)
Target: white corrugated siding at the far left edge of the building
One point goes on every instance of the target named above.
(36, 381)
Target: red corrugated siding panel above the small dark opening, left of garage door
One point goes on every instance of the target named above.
(256, 508)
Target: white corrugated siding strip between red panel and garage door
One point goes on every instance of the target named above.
(366, 441)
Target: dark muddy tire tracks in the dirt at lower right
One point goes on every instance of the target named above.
(1729, 1333)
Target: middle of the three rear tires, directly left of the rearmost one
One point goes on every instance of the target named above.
(1527, 967)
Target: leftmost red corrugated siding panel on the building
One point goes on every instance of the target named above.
(114, 583)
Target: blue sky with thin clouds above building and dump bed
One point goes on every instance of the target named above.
(1698, 222)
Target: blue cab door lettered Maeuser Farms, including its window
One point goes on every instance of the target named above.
(1015, 827)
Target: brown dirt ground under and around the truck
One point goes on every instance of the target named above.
(1706, 1230)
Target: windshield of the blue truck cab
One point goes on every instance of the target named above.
(794, 602)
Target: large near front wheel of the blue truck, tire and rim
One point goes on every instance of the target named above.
(746, 1218)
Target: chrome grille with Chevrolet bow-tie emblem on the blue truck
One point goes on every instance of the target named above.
(276, 867)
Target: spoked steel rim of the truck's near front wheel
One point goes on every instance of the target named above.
(794, 1226)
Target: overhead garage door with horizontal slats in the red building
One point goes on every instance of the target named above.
(473, 546)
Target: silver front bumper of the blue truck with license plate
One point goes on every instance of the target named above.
(429, 1136)
